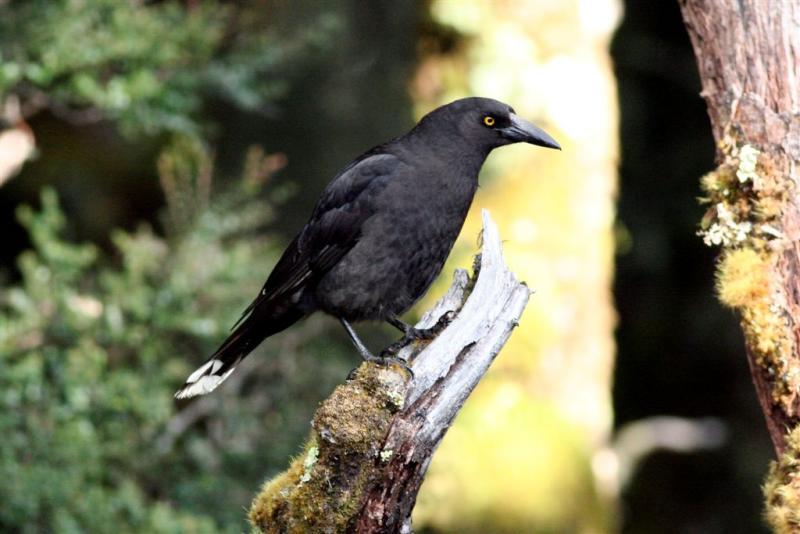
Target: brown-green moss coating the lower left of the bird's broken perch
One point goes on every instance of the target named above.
(325, 487)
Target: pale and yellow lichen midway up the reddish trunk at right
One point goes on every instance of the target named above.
(746, 196)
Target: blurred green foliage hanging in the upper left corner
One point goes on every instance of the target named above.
(146, 65)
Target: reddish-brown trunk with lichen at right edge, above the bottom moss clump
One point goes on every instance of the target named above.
(748, 53)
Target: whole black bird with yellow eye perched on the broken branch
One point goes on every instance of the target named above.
(379, 234)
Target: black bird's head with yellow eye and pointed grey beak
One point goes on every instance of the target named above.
(489, 123)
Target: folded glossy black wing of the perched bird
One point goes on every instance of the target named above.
(334, 226)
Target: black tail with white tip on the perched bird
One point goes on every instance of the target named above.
(245, 337)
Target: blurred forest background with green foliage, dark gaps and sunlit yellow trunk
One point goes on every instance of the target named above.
(156, 157)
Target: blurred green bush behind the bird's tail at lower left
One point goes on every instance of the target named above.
(92, 348)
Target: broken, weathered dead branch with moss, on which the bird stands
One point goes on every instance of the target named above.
(373, 438)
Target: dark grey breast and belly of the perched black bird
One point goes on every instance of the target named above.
(401, 250)
